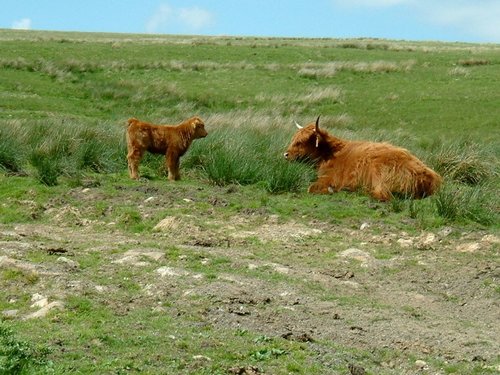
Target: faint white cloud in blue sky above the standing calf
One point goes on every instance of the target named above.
(181, 19)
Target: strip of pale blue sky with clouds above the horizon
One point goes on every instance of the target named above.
(437, 20)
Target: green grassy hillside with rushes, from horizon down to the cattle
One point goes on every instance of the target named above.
(64, 112)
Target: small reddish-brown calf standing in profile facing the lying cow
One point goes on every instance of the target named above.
(171, 141)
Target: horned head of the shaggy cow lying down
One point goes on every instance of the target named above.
(307, 143)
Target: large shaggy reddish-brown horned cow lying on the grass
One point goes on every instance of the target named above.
(380, 169)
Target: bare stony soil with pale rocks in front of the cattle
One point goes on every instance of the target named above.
(430, 294)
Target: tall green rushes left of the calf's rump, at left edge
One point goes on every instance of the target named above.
(51, 148)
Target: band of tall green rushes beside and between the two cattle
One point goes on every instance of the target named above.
(240, 149)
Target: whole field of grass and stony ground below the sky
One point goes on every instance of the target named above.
(248, 273)
